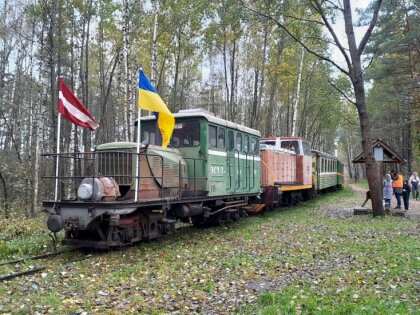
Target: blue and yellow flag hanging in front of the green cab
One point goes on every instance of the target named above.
(150, 100)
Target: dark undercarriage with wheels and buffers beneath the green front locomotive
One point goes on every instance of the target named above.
(87, 227)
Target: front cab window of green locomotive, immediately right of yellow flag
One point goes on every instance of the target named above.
(186, 134)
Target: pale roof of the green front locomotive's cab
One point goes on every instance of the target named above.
(211, 118)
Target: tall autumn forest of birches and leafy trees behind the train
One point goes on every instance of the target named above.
(256, 63)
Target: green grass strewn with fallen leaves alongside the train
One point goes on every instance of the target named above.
(300, 260)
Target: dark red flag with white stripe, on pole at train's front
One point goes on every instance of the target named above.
(72, 109)
